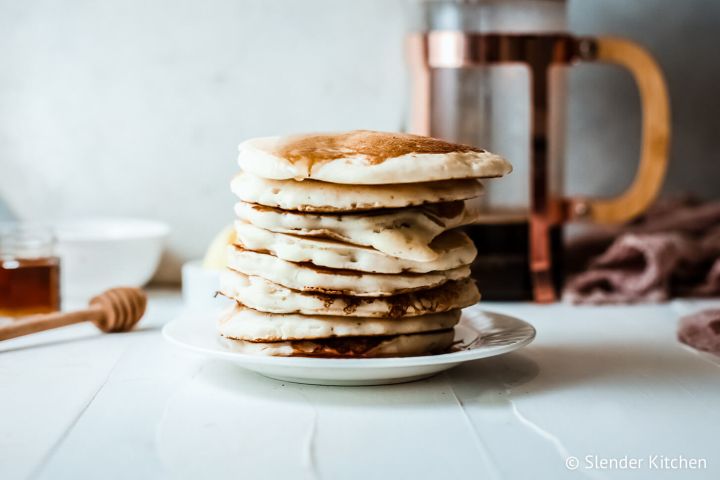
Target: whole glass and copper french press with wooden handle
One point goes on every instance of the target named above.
(493, 74)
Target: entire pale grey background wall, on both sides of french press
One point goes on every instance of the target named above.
(135, 107)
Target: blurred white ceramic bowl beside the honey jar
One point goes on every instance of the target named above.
(97, 254)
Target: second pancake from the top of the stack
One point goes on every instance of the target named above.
(314, 196)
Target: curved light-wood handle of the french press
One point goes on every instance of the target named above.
(655, 136)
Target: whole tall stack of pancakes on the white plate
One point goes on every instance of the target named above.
(348, 245)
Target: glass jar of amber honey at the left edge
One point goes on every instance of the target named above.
(29, 271)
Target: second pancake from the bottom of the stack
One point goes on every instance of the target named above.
(242, 323)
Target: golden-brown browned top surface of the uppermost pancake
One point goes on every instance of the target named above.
(376, 147)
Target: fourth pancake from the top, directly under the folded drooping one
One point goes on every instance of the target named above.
(452, 248)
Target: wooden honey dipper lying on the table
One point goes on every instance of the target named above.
(115, 310)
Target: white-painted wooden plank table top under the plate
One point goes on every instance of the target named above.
(598, 385)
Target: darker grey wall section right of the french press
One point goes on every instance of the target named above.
(684, 36)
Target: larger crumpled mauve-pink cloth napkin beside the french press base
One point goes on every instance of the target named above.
(674, 250)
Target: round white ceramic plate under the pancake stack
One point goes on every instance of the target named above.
(480, 334)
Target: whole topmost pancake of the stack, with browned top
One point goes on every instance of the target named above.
(364, 157)
